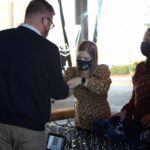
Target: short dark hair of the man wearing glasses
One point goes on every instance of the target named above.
(38, 7)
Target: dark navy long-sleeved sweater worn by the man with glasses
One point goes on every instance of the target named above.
(30, 75)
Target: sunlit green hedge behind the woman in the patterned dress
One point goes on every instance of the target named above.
(123, 69)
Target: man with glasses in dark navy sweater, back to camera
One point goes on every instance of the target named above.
(30, 75)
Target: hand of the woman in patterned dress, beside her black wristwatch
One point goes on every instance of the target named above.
(73, 83)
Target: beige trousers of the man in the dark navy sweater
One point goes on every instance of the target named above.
(17, 138)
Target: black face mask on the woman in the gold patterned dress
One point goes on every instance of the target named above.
(84, 65)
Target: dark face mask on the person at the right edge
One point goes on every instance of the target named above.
(145, 48)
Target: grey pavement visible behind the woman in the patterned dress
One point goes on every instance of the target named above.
(119, 94)
